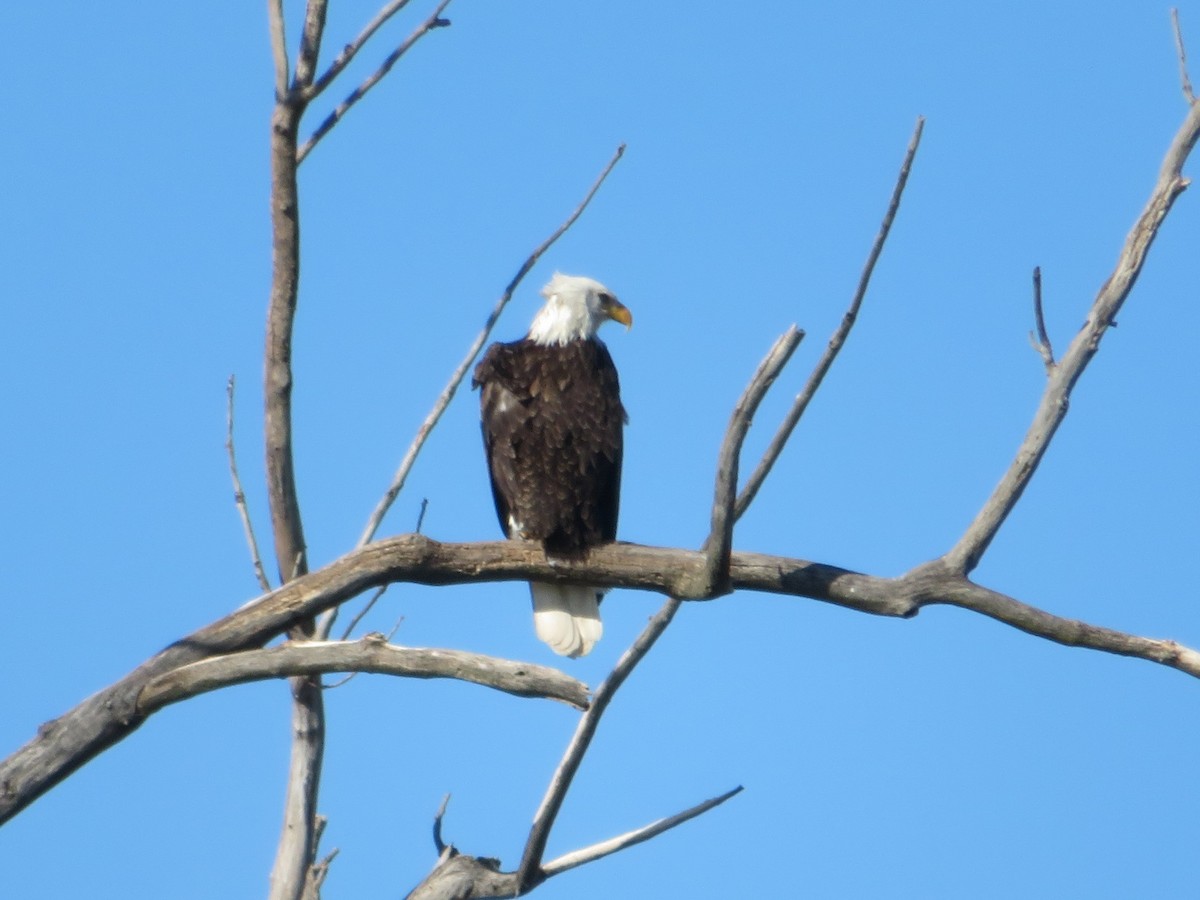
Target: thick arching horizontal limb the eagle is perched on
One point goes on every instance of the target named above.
(67, 743)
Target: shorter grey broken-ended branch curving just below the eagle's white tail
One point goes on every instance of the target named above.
(371, 655)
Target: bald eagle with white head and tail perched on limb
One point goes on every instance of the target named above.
(553, 427)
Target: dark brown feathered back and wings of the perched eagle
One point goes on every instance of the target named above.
(553, 427)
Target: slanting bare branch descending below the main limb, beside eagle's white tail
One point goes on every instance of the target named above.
(531, 874)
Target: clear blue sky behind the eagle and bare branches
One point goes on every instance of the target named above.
(941, 758)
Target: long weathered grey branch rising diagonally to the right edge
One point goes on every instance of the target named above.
(965, 556)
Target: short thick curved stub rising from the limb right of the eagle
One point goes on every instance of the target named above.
(721, 538)
